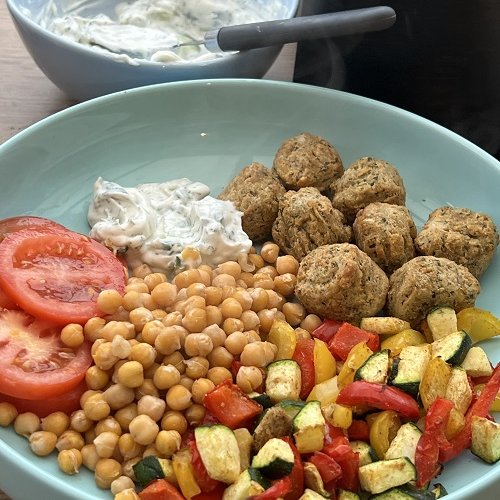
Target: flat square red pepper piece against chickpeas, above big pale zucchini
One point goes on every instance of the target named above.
(230, 406)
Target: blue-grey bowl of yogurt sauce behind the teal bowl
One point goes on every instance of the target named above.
(83, 73)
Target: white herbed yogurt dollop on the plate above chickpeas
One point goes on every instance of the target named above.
(154, 223)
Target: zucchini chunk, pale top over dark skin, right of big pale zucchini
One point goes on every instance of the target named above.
(275, 459)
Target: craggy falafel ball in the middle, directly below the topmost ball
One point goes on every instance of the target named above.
(307, 220)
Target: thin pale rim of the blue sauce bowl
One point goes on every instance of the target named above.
(18, 16)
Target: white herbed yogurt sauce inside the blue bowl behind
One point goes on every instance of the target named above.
(145, 29)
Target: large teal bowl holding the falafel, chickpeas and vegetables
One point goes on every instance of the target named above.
(207, 131)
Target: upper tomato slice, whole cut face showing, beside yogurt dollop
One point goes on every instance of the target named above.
(57, 276)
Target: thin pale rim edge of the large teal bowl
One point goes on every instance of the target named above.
(482, 482)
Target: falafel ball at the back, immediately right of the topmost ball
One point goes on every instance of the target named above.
(367, 180)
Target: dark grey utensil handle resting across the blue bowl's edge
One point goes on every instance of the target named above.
(265, 34)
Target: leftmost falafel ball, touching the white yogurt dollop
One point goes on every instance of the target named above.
(255, 192)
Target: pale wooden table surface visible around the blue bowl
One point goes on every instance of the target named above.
(27, 95)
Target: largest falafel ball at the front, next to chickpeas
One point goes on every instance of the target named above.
(341, 282)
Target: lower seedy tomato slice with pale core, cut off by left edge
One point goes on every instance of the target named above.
(34, 363)
